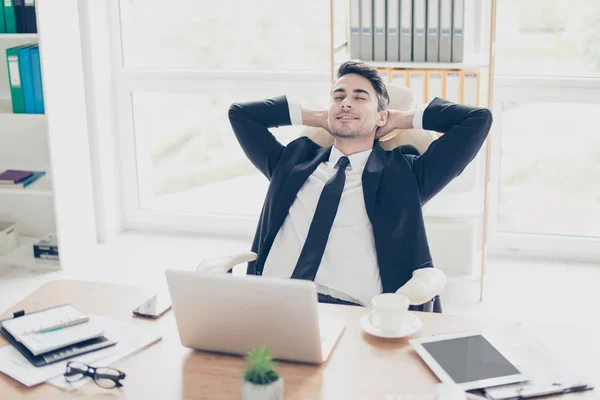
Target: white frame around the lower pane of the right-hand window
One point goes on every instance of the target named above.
(535, 89)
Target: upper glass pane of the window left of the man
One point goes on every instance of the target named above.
(226, 34)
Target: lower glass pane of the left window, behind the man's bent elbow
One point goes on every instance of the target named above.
(188, 158)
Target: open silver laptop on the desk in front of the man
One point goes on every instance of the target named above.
(233, 314)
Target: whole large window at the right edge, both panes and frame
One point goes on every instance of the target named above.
(546, 103)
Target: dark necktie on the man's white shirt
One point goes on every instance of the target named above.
(318, 233)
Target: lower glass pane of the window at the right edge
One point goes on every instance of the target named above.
(550, 164)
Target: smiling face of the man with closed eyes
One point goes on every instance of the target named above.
(353, 108)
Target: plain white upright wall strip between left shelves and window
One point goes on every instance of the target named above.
(62, 75)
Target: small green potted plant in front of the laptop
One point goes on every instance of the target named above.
(260, 379)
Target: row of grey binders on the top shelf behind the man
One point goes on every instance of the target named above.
(407, 30)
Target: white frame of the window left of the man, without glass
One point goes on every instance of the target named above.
(130, 80)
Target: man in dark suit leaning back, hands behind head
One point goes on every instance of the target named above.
(348, 216)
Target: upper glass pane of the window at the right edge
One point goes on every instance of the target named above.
(548, 37)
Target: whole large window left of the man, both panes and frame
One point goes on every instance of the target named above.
(180, 65)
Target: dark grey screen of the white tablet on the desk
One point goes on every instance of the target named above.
(469, 359)
